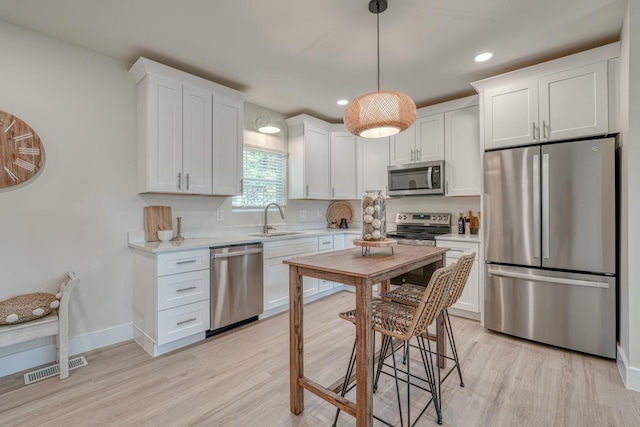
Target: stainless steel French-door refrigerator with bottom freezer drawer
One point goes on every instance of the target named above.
(550, 244)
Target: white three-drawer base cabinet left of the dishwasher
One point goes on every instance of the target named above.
(171, 305)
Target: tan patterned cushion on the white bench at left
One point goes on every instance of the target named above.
(23, 308)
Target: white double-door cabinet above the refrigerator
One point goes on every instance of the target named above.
(561, 99)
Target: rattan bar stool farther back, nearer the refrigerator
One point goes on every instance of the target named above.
(410, 294)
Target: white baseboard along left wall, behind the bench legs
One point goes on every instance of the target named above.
(43, 354)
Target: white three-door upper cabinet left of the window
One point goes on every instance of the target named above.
(189, 132)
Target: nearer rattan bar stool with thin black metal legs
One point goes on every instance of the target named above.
(401, 322)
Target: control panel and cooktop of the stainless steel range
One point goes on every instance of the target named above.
(420, 228)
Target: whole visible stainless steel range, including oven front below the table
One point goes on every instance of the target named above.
(419, 229)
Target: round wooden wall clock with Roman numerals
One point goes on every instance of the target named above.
(21, 151)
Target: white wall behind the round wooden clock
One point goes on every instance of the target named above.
(75, 214)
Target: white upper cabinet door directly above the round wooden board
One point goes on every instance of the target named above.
(343, 166)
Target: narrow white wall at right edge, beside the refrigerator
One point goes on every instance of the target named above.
(629, 290)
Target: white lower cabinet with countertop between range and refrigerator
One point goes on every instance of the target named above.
(469, 302)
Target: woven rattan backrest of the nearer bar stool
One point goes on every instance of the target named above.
(434, 298)
